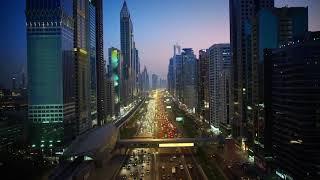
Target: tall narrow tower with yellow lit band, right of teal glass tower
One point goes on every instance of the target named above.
(82, 65)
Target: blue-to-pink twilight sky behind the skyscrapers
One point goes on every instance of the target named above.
(158, 25)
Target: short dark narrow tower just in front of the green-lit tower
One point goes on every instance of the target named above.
(110, 98)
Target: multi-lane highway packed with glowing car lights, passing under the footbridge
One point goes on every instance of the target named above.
(159, 163)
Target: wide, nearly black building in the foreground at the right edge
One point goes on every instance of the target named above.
(292, 101)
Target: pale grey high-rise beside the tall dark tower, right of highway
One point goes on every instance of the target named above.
(219, 87)
